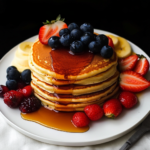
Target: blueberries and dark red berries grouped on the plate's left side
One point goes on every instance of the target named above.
(18, 92)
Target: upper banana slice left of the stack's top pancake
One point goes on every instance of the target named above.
(25, 47)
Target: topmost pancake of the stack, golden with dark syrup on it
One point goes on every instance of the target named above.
(41, 57)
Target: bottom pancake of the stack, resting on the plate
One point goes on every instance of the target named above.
(76, 106)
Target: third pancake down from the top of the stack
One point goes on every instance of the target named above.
(76, 89)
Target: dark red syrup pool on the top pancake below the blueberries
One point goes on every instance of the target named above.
(67, 64)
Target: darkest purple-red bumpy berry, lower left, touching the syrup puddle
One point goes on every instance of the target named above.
(30, 104)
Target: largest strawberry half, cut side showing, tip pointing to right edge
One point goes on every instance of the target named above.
(133, 82)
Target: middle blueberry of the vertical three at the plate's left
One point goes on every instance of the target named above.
(13, 74)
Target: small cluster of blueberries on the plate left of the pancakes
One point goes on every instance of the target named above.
(15, 78)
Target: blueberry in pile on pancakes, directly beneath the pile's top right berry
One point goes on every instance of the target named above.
(86, 39)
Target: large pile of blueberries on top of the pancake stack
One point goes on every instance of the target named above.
(80, 39)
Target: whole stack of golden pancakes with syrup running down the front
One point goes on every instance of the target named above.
(66, 90)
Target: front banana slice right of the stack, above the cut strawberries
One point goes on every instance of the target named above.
(123, 48)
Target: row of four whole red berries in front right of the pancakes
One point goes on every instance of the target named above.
(111, 109)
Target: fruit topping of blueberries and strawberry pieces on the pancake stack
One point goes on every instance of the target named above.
(77, 38)
